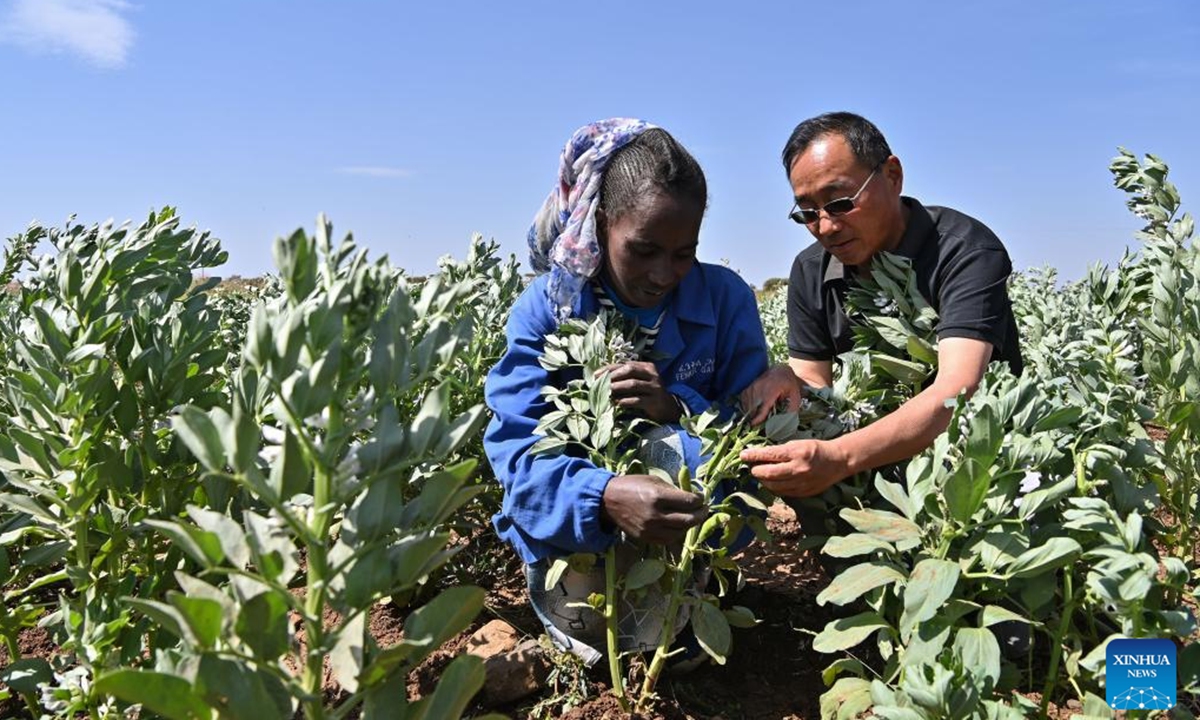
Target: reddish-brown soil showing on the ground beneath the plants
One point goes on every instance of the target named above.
(772, 674)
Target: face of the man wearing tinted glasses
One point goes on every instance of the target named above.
(829, 171)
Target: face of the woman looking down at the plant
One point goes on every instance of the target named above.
(650, 250)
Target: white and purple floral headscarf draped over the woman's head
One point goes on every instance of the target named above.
(563, 237)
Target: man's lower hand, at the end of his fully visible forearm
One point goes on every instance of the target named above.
(799, 470)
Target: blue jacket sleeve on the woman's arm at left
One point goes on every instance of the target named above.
(551, 502)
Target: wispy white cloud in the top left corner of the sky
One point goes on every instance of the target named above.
(93, 29)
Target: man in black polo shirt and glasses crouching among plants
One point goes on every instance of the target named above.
(848, 187)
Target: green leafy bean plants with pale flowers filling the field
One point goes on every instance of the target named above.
(206, 489)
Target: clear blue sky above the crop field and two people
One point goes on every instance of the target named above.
(415, 125)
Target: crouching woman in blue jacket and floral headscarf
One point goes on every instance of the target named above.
(620, 230)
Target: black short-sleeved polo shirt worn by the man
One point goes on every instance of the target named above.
(962, 272)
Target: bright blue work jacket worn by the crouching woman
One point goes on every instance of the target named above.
(711, 347)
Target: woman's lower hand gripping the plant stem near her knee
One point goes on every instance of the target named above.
(650, 509)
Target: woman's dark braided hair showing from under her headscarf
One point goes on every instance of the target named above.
(653, 161)
